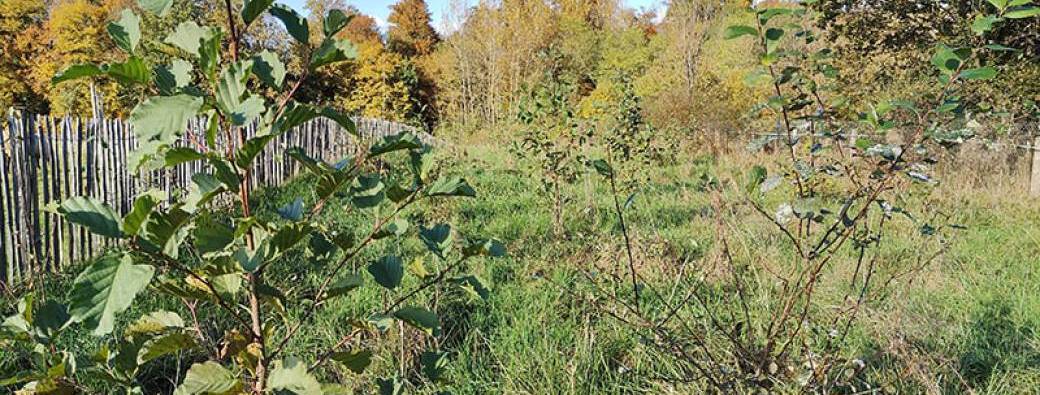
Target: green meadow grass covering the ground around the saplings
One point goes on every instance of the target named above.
(970, 321)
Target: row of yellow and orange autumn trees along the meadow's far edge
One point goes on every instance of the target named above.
(474, 72)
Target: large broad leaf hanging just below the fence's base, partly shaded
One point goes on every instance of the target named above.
(107, 288)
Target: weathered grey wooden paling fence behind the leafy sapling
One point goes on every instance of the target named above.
(45, 160)
